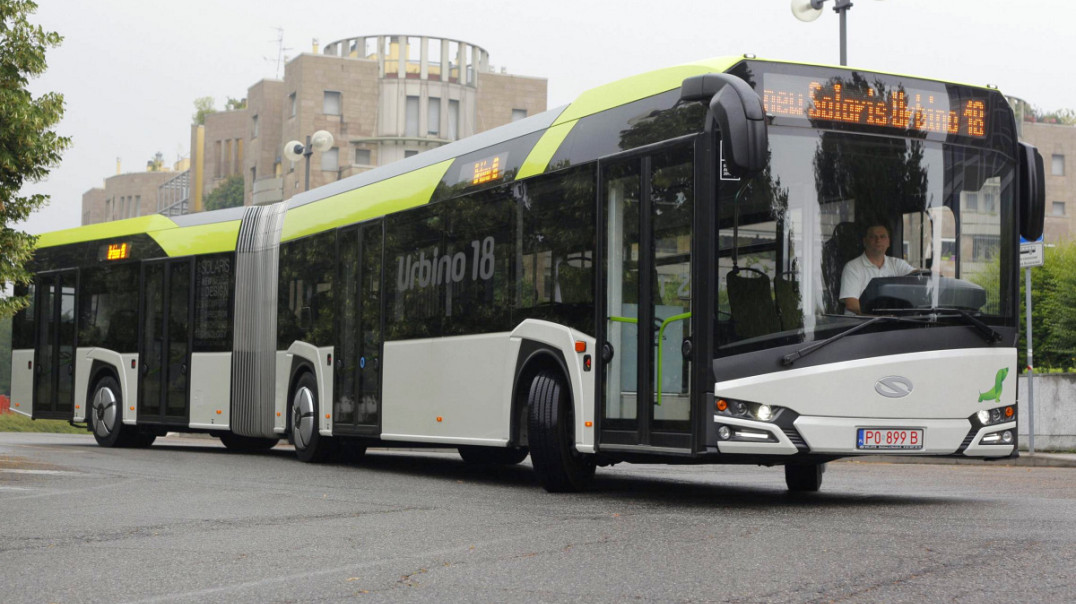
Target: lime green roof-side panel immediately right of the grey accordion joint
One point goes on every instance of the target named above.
(373, 201)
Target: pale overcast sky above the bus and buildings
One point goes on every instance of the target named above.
(130, 71)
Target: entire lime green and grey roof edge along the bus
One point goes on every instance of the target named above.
(403, 185)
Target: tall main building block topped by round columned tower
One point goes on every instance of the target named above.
(383, 99)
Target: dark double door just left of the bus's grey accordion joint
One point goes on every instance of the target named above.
(165, 343)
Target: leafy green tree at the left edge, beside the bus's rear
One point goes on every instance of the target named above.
(29, 145)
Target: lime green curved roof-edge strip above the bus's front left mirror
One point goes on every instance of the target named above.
(641, 87)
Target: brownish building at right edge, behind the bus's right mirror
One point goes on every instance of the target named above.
(1057, 144)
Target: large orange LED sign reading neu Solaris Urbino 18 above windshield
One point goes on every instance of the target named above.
(901, 109)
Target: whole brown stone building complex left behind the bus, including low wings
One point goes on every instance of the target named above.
(383, 99)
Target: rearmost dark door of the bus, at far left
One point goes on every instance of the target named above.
(56, 341)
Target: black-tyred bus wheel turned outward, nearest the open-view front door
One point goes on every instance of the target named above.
(559, 467)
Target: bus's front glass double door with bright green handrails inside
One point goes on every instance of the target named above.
(647, 214)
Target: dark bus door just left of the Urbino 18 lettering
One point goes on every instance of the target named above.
(358, 366)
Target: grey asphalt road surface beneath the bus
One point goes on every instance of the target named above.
(189, 522)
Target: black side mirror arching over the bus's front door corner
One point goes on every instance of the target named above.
(741, 117)
